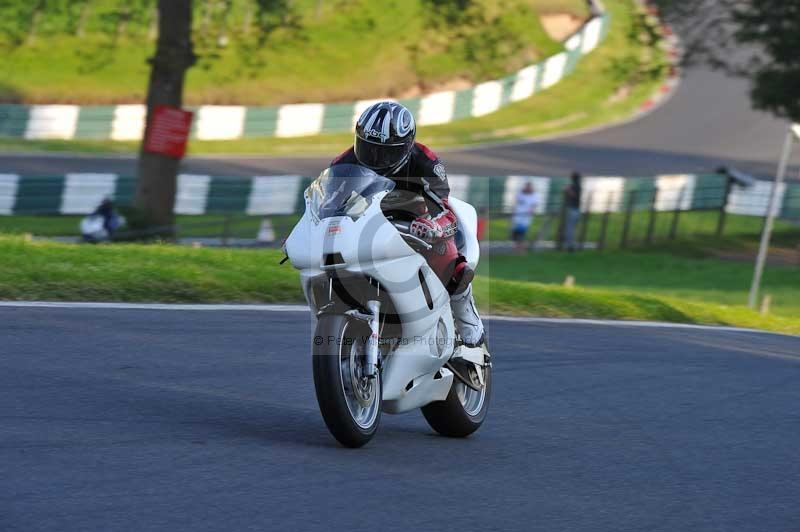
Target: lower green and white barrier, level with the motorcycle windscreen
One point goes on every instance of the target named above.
(264, 195)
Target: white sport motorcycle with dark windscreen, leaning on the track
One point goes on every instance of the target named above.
(385, 339)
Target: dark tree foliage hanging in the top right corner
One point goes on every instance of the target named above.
(755, 39)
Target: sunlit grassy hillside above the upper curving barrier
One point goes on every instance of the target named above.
(96, 51)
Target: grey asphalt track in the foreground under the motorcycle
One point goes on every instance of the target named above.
(147, 420)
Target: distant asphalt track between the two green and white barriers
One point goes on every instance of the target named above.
(707, 123)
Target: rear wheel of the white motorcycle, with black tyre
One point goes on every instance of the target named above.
(464, 409)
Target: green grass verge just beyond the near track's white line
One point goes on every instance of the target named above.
(60, 272)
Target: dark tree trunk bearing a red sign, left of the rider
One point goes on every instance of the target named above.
(156, 187)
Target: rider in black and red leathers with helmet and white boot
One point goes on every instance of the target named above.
(385, 143)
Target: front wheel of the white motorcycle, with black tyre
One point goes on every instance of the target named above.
(349, 401)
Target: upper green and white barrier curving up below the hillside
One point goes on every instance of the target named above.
(126, 122)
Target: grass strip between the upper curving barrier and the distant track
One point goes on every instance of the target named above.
(609, 84)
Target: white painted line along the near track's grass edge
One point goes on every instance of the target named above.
(304, 308)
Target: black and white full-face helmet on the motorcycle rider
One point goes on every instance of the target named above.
(385, 136)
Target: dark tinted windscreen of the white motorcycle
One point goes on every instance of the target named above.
(346, 190)
